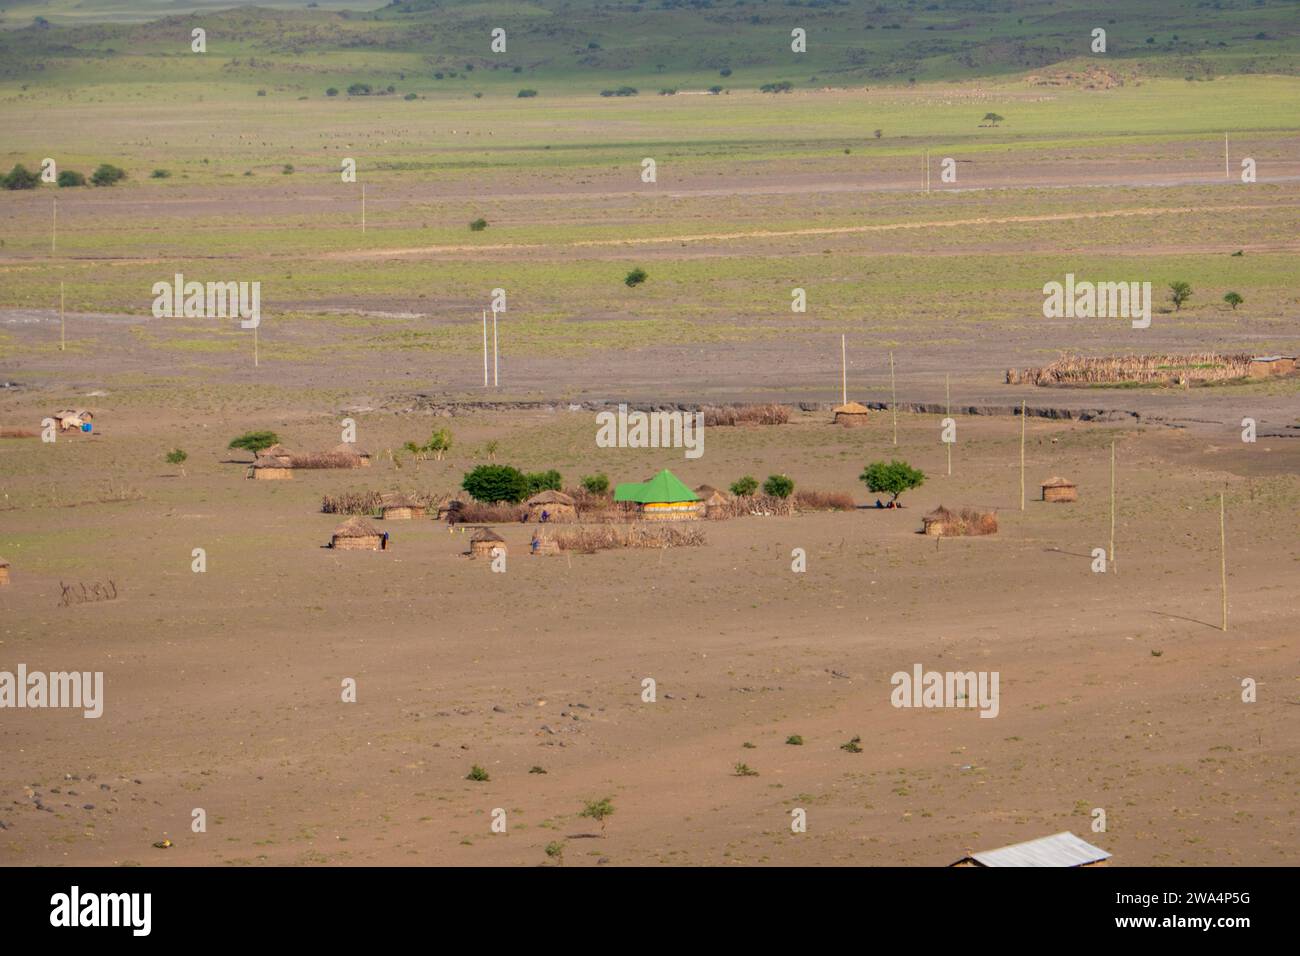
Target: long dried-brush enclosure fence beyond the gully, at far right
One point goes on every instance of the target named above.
(1146, 370)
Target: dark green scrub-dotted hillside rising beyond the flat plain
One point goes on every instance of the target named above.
(592, 45)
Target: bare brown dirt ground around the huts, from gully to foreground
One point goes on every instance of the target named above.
(223, 690)
